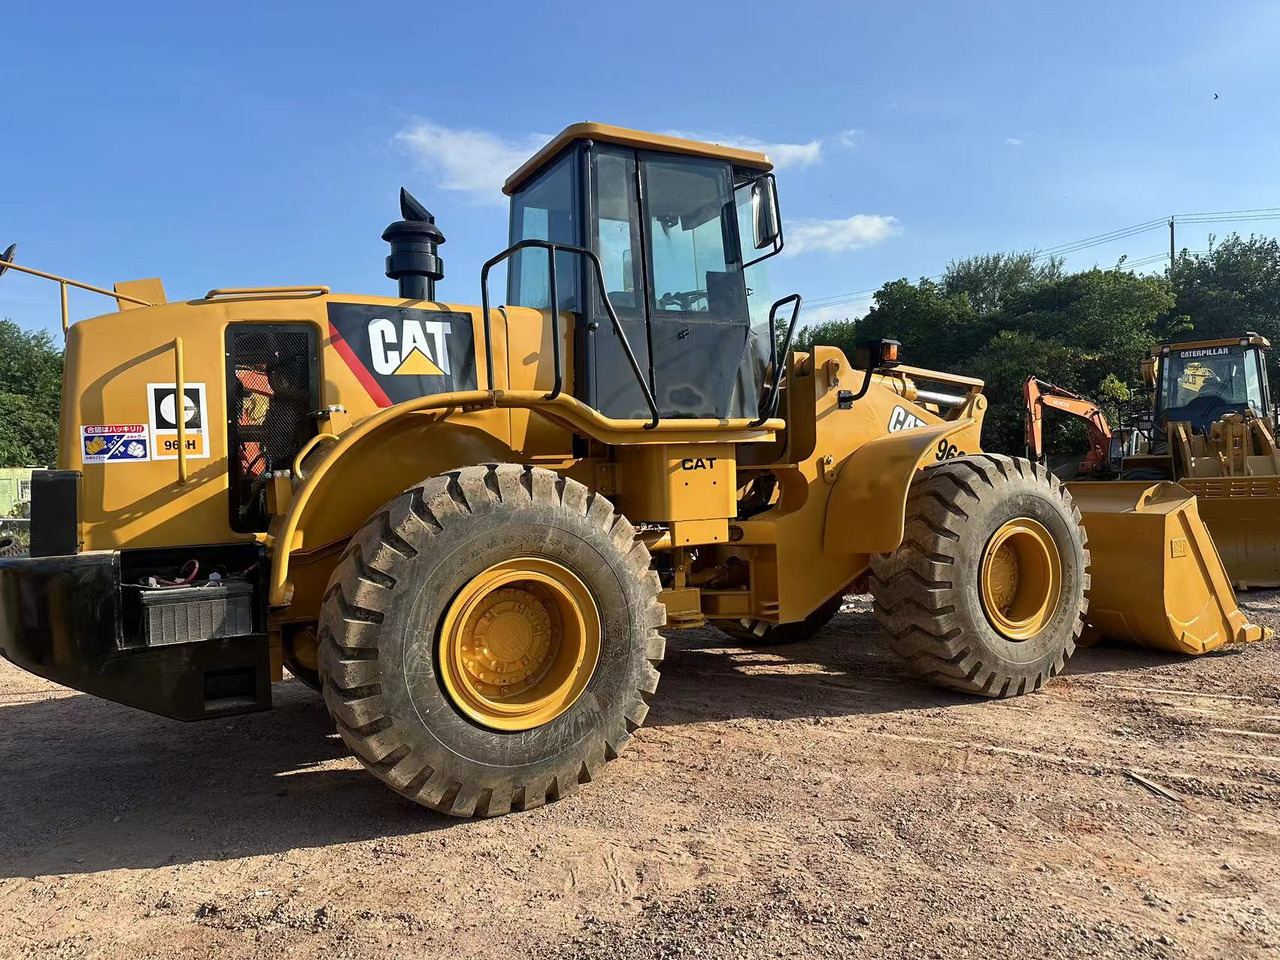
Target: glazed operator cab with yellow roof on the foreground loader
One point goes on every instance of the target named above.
(680, 230)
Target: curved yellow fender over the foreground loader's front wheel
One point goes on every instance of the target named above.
(867, 510)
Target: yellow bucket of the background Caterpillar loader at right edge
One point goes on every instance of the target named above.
(1244, 516)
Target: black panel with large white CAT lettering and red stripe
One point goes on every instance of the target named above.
(401, 354)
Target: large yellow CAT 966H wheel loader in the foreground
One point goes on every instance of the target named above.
(468, 525)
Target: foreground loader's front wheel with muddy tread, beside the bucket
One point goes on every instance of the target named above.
(988, 592)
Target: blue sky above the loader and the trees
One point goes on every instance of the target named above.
(263, 144)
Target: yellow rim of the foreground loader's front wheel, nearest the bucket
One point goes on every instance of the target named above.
(1022, 579)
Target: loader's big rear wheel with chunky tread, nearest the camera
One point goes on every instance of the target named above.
(413, 707)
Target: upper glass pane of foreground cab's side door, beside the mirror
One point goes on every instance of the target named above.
(693, 239)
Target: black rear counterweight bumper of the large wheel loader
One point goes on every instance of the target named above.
(70, 620)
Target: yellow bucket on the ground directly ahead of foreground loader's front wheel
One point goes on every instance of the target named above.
(1156, 578)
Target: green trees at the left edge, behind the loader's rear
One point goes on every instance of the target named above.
(31, 380)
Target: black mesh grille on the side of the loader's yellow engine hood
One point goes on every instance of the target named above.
(272, 385)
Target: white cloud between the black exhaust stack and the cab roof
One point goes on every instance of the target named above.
(468, 161)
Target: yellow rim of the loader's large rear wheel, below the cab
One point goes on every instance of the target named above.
(519, 644)
